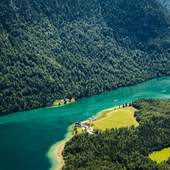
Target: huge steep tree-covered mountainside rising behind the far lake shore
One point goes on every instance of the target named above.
(74, 48)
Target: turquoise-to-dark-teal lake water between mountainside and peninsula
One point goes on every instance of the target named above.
(25, 137)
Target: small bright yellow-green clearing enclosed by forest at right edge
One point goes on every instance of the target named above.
(160, 156)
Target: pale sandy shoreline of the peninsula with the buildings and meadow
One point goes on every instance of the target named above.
(55, 153)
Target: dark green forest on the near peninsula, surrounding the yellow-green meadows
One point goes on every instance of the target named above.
(126, 148)
